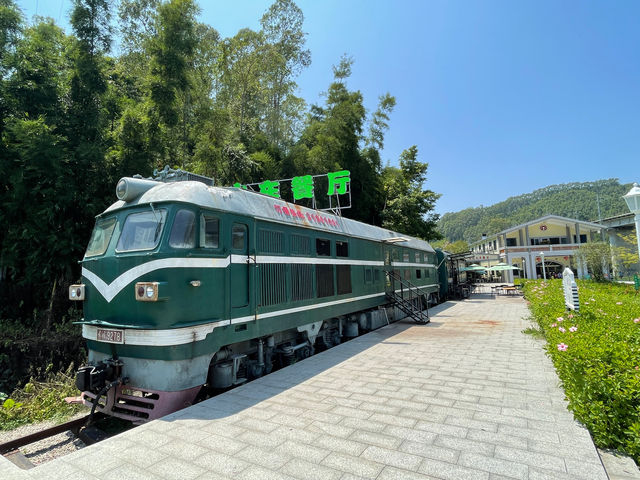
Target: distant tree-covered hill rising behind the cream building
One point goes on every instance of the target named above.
(573, 200)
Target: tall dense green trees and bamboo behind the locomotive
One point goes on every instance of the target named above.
(75, 116)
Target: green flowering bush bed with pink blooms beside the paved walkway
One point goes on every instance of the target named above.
(596, 353)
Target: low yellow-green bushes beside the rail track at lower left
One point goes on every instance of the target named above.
(40, 400)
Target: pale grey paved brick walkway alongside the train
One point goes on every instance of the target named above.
(465, 397)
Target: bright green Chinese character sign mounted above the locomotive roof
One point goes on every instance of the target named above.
(303, 186)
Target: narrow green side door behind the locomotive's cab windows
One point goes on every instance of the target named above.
(239, 284)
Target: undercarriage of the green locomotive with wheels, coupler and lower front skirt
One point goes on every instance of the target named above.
(128, 397)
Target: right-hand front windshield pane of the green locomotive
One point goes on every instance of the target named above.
(141, 231)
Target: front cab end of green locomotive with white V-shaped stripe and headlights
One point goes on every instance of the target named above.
(144, 321)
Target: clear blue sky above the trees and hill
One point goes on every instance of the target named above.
(500, 97)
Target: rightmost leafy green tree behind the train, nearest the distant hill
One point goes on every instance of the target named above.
(408, 206)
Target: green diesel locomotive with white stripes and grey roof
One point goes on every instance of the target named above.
(186, 284)
